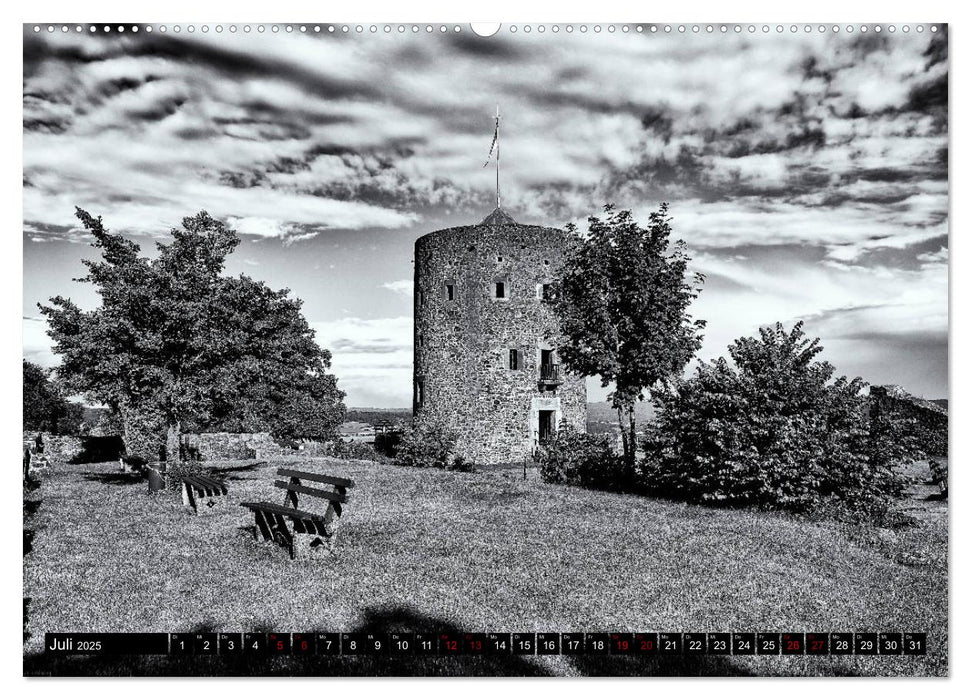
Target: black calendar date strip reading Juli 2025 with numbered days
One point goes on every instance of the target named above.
(488, 643)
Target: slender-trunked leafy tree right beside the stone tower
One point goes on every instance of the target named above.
(622, 303)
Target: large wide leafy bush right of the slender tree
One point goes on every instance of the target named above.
(773, 430)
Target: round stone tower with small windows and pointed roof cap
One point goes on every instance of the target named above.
(486, 364)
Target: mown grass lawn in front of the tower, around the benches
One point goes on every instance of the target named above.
(425, 550)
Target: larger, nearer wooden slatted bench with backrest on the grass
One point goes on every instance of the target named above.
(271, 519)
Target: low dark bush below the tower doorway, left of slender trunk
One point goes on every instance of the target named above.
(580, 459)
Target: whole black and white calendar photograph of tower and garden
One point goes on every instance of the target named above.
(592, 349)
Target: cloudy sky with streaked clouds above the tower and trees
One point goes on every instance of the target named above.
(806, 172)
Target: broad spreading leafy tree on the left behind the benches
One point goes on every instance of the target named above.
(176, 344)
